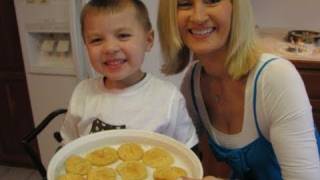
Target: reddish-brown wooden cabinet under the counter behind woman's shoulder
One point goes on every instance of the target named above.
(310, 73)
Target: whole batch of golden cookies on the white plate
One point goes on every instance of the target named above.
(132, 163)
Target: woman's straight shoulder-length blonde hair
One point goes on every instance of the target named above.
(243, 49)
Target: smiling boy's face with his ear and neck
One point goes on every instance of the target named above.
(116, 44)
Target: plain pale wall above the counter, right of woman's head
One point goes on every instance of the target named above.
(288, 14)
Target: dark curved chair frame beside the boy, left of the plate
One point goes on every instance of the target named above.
(32, 135)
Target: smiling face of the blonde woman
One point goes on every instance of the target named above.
(204, 25)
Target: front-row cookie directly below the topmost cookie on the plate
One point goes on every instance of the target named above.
(132, 170)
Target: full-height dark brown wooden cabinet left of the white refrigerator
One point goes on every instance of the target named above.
(15, 109)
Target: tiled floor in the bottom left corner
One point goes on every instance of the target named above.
(17, 173)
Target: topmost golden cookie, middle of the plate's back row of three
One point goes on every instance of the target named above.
(130, 152)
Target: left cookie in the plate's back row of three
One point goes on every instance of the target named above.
(102, 157)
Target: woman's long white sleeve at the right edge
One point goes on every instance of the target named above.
(292, 132)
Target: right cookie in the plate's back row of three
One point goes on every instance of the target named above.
(157, 157)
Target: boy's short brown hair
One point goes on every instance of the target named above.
(111, 6)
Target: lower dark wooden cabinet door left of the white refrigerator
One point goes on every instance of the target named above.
(15, 121)
